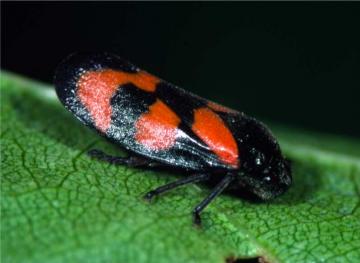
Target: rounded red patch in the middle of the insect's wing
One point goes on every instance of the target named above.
(157, 129)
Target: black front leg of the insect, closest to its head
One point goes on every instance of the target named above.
(216, 191)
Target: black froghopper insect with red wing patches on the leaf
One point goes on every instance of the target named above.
(160, 124)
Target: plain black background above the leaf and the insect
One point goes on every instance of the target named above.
(292, 63)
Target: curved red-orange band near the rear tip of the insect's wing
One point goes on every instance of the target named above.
(95, 89)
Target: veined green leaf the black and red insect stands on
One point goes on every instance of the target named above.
(58, 205)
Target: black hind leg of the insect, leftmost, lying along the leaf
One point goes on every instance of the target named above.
(131, 160)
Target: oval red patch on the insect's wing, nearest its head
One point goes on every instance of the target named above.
(213, 131)
